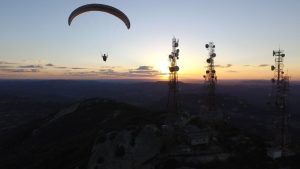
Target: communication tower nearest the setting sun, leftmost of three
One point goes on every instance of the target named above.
(173, 102)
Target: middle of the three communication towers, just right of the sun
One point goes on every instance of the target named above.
(210, 76)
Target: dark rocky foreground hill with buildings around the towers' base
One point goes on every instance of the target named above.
(105, 134)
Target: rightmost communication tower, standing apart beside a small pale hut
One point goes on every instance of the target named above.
(279, 96)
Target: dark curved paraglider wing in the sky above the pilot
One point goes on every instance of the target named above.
(100, 7)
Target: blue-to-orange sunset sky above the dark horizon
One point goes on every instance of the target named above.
(37, 43)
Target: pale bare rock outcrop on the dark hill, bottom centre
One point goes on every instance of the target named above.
(129, 148)
